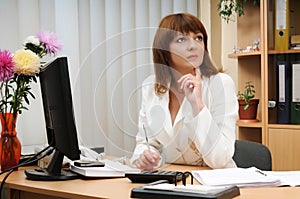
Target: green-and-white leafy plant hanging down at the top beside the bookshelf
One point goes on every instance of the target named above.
(227, 8)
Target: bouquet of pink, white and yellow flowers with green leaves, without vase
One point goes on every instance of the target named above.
(19, 70)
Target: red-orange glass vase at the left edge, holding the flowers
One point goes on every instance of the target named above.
(10, 146)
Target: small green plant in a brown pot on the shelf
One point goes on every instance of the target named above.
(247, 104)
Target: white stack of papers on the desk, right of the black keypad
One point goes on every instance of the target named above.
(250, 177)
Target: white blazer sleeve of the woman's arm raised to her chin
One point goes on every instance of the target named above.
(213, 129)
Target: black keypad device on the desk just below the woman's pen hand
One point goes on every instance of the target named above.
(152, 176)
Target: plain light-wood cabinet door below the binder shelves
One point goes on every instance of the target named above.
(285, 149)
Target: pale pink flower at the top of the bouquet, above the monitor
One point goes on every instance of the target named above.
(50, 41)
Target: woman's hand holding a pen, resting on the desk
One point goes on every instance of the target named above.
(147, 160)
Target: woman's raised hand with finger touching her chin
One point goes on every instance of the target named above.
(192, 87)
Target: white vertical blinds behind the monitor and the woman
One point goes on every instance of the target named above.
(108, 45)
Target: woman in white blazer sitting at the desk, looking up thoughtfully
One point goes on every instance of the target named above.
(189, 109)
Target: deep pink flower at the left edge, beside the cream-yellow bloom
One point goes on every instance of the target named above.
(6, 65)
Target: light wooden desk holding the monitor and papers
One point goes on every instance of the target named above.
(17, 186)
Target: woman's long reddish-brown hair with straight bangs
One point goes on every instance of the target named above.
(168, 28)
